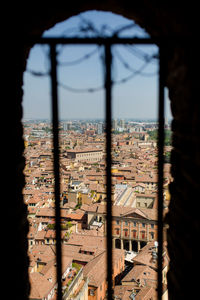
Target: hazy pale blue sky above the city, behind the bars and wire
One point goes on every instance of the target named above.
(135, 98)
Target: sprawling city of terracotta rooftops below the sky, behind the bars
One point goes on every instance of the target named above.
(83, 208)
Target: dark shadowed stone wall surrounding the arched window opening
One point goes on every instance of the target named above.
(166, 19)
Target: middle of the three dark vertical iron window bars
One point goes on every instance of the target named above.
(108, 96)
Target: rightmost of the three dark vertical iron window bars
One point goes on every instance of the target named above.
(161, 137)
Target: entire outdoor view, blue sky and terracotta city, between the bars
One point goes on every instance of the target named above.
(82, 165)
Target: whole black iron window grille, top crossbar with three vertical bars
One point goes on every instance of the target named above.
(107, 43)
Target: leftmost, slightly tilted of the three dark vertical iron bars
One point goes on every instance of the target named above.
(54, 100)
